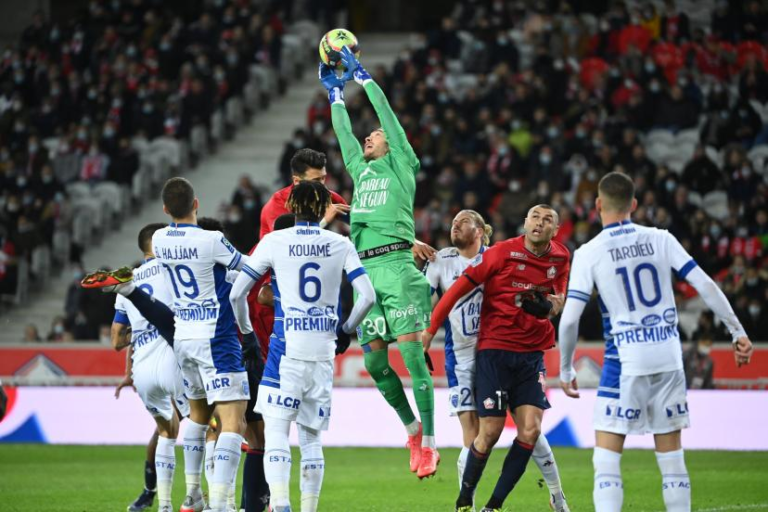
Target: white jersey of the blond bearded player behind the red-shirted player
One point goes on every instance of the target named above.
(463, 323)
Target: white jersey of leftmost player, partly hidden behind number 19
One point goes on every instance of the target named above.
(151, 278)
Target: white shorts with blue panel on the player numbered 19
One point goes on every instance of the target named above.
(212, 369)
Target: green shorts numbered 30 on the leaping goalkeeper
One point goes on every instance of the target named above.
(403, 302)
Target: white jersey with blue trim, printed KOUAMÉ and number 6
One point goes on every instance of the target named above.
(307, 263)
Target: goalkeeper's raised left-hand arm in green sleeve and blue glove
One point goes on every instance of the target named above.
(351, 152)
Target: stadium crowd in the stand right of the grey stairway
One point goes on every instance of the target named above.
(509, 104)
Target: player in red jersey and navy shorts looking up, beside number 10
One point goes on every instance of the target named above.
(525, 282)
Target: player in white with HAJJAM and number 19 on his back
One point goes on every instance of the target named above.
(206, 341)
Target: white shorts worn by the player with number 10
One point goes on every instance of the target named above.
(644, 404)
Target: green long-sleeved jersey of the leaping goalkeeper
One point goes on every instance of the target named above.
(382, 205)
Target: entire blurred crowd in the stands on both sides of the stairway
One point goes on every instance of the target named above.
(507, 104)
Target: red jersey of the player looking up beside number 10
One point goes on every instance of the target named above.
(508, 269)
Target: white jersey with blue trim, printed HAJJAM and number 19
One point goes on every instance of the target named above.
(196, 263)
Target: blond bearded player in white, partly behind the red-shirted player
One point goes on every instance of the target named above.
(470, 236)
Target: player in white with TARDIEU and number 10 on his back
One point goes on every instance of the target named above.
(642, 389)
